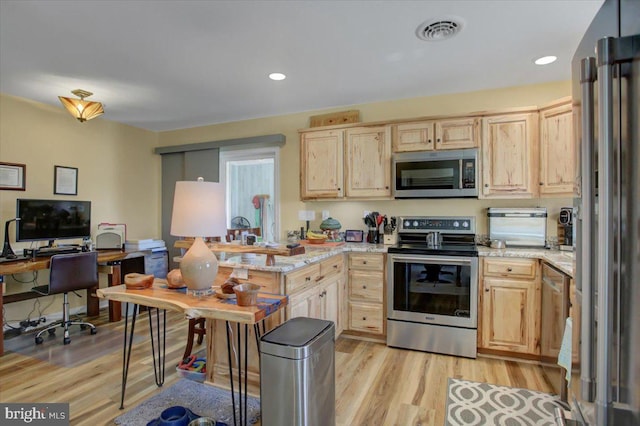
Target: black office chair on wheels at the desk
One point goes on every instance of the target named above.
(69, 272)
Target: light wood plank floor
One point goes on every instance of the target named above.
(375, 385)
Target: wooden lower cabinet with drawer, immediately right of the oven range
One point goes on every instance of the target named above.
(510, 294)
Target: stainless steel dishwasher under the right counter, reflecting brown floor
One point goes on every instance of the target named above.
(555, 310)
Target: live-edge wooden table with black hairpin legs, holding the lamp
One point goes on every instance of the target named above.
(209, 307)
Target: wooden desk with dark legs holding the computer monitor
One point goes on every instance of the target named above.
(109, 262)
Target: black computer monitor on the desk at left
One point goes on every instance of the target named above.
(49, 220)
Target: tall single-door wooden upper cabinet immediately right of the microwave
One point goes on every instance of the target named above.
(510, 156)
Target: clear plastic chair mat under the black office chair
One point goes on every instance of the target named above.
(84, 347)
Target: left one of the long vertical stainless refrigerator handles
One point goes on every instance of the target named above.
(588, 77)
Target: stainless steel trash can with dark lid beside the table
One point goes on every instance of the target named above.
(297, 374)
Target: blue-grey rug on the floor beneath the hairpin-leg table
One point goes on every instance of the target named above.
(204, 400)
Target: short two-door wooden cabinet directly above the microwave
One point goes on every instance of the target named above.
(454, 133)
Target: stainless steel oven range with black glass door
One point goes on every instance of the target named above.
(432, 292)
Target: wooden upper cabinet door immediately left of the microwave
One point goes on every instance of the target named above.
(368, 162)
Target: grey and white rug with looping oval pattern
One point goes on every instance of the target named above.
(473, 403)
